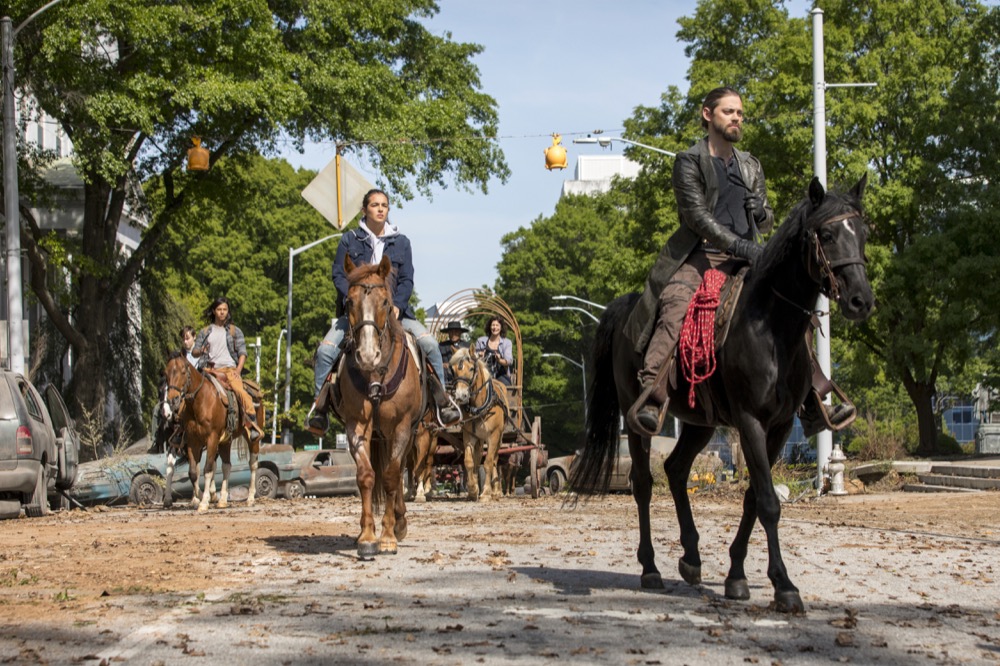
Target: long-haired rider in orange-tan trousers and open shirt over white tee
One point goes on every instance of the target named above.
(222, 347)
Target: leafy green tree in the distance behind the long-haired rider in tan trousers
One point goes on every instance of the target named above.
(236, 245)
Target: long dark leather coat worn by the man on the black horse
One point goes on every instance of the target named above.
(696, 188)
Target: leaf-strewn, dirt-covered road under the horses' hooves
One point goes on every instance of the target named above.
(886, 579)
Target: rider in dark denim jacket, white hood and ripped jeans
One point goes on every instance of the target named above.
(367, 244)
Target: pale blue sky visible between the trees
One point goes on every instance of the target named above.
(562, 66)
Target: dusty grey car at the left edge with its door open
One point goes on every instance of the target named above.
(39, 449)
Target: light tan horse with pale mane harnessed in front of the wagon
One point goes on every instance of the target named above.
(483, 400)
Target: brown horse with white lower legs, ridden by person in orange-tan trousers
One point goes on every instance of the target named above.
(199, 407)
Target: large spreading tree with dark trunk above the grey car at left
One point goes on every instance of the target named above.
(131, 83)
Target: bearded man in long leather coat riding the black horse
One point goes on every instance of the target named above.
(723, 208)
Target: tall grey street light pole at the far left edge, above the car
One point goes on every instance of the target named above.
(17, 334)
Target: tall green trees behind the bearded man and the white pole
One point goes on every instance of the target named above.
(927, 134)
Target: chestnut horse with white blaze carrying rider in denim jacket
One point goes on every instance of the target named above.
(378, 397)
